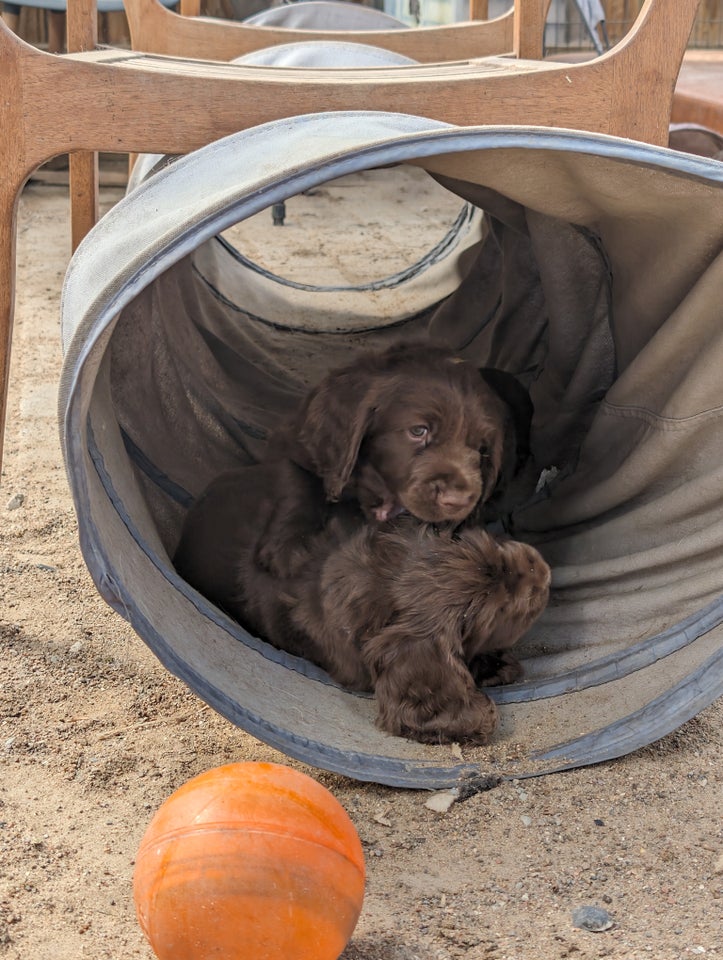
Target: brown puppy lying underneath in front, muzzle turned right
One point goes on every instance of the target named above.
(421, 618)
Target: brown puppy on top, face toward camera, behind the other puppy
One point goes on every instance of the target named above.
(412, 430)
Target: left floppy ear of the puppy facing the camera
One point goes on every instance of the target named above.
(331, 426)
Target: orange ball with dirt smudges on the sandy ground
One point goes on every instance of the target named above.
(249, 861)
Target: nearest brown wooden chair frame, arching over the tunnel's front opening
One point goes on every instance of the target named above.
(129, 102)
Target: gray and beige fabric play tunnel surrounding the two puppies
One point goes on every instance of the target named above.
(595, 275)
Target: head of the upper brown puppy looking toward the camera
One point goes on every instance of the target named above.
(412, 429)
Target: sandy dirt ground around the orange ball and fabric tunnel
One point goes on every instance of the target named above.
(95, 734)
